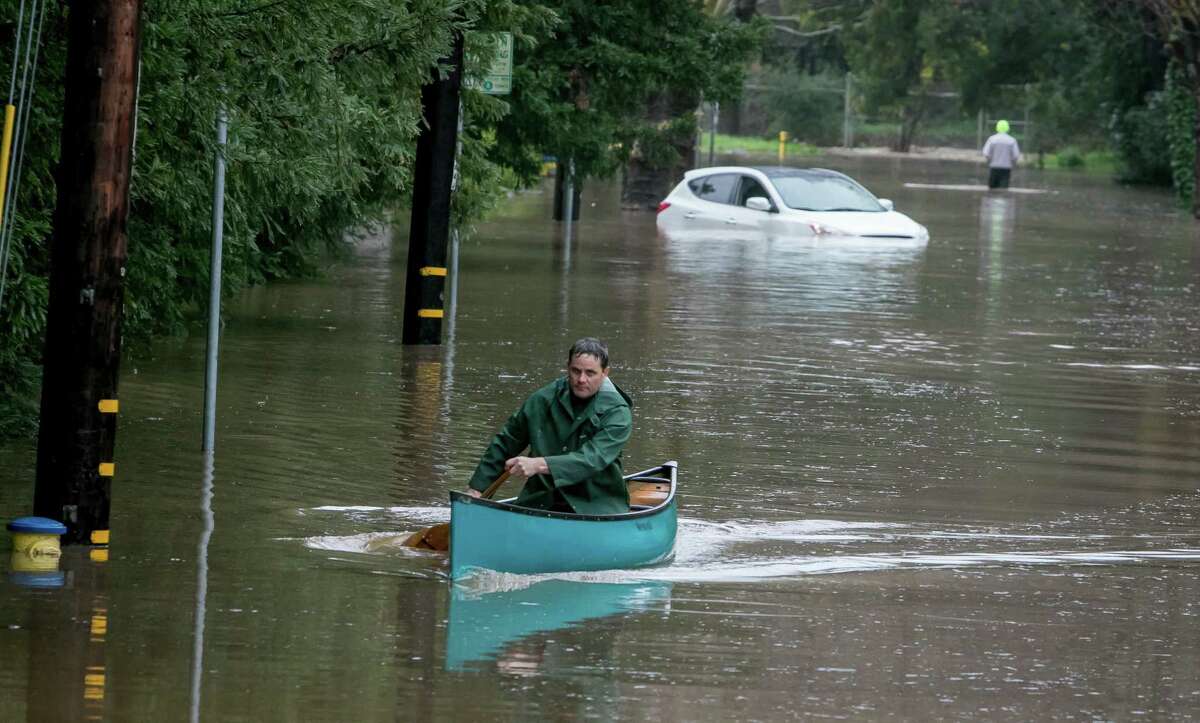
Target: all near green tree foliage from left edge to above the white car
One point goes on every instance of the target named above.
(323, 100)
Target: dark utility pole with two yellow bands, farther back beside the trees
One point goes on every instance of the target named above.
(433, 181)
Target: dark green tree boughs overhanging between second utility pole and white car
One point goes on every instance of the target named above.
(607, 64)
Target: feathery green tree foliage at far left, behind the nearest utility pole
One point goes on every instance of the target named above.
(323, 100)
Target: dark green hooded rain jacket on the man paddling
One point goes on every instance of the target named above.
(583, 450)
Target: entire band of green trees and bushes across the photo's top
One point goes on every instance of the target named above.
(325, 107)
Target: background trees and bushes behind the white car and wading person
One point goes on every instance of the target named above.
(1106, 86)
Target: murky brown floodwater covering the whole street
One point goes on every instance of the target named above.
(956, 481)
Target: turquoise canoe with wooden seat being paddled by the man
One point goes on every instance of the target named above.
(500, 536)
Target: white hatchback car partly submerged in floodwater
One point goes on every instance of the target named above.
(783, 204)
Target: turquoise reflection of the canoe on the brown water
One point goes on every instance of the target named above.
(483, 625)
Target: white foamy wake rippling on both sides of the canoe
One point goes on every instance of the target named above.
(709, 552)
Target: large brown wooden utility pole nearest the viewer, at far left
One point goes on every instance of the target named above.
(83, 334)
